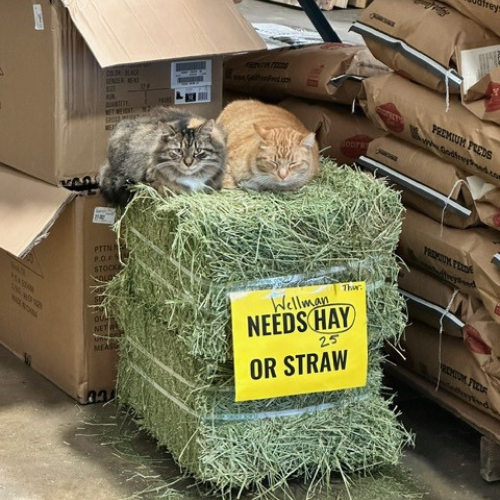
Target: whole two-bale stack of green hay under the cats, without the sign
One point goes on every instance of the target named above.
(171, 300)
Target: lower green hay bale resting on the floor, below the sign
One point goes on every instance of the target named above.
(233, 445)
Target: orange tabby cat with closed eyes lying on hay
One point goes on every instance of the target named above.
(268, 148)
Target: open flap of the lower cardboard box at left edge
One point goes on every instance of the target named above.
(28, 209)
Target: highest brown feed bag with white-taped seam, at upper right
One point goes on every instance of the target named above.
(427, 42)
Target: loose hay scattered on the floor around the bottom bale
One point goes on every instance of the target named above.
(153, 475)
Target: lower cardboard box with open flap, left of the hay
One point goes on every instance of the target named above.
(56, 247)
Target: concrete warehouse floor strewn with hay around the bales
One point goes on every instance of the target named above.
(53, 449)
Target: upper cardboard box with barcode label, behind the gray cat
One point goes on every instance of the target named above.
(70, 70)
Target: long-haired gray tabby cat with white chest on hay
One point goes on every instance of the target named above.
(170, 149)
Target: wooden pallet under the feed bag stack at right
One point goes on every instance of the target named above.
(487, 426)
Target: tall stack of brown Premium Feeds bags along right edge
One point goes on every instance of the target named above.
(441, 113)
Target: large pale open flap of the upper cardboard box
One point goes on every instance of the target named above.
(133, 31)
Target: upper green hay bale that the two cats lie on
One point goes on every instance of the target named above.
(189, 251)
